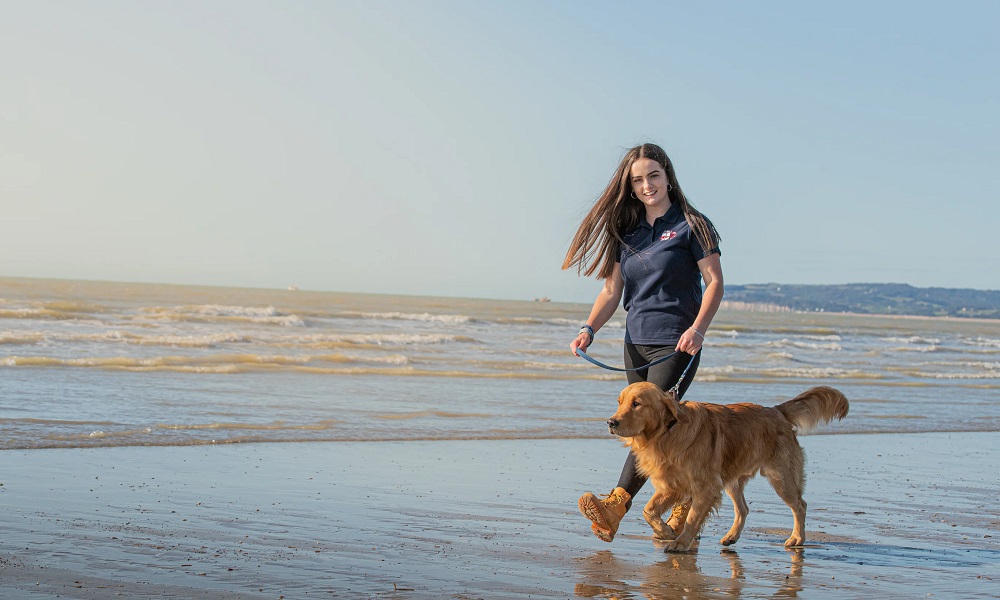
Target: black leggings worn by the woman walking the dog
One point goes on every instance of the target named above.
(664, 375)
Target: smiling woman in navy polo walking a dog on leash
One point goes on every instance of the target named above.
(652, 249)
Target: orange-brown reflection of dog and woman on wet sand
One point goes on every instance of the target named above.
(602, 575)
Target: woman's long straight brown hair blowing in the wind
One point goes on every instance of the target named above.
(598, 241)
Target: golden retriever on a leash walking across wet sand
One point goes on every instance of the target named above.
(693, 451)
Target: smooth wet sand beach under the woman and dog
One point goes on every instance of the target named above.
(890, 515)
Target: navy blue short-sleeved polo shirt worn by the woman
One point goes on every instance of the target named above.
(662, 293)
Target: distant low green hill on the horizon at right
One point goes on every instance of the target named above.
(871, 298)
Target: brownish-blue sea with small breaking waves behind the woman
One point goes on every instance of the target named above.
(94, 364)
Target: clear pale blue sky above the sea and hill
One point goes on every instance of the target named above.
(451, 147)
